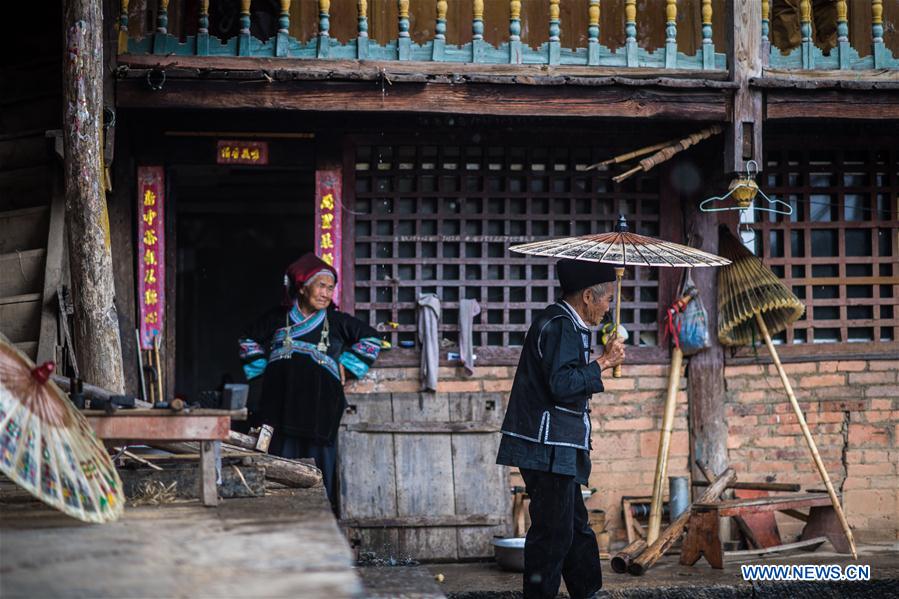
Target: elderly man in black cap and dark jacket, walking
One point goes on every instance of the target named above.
(546, 431)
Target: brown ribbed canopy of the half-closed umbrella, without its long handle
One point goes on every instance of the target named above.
(746, 288)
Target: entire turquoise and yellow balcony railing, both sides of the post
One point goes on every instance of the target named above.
(796, 34)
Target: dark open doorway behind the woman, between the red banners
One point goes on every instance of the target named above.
(237, 229)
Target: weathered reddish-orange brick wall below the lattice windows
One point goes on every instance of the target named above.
(852, 408)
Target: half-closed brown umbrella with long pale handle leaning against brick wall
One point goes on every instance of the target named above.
(753, 303)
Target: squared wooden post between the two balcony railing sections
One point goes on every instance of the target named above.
(744, 135)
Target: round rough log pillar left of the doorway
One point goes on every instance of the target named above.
(87, 221)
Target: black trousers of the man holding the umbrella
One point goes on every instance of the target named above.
(560, 542)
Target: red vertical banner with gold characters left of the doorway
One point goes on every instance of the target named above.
(151, 252)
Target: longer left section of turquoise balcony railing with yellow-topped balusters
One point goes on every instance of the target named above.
(513, 50)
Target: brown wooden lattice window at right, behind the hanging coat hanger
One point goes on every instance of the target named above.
(838, 251)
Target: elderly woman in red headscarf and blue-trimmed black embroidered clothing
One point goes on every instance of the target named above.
(303, 350)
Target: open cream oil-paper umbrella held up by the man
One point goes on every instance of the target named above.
(621, 248)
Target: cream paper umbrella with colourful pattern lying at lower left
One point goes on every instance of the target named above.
(48, 448)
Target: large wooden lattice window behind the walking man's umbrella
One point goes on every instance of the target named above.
(440, 218)
